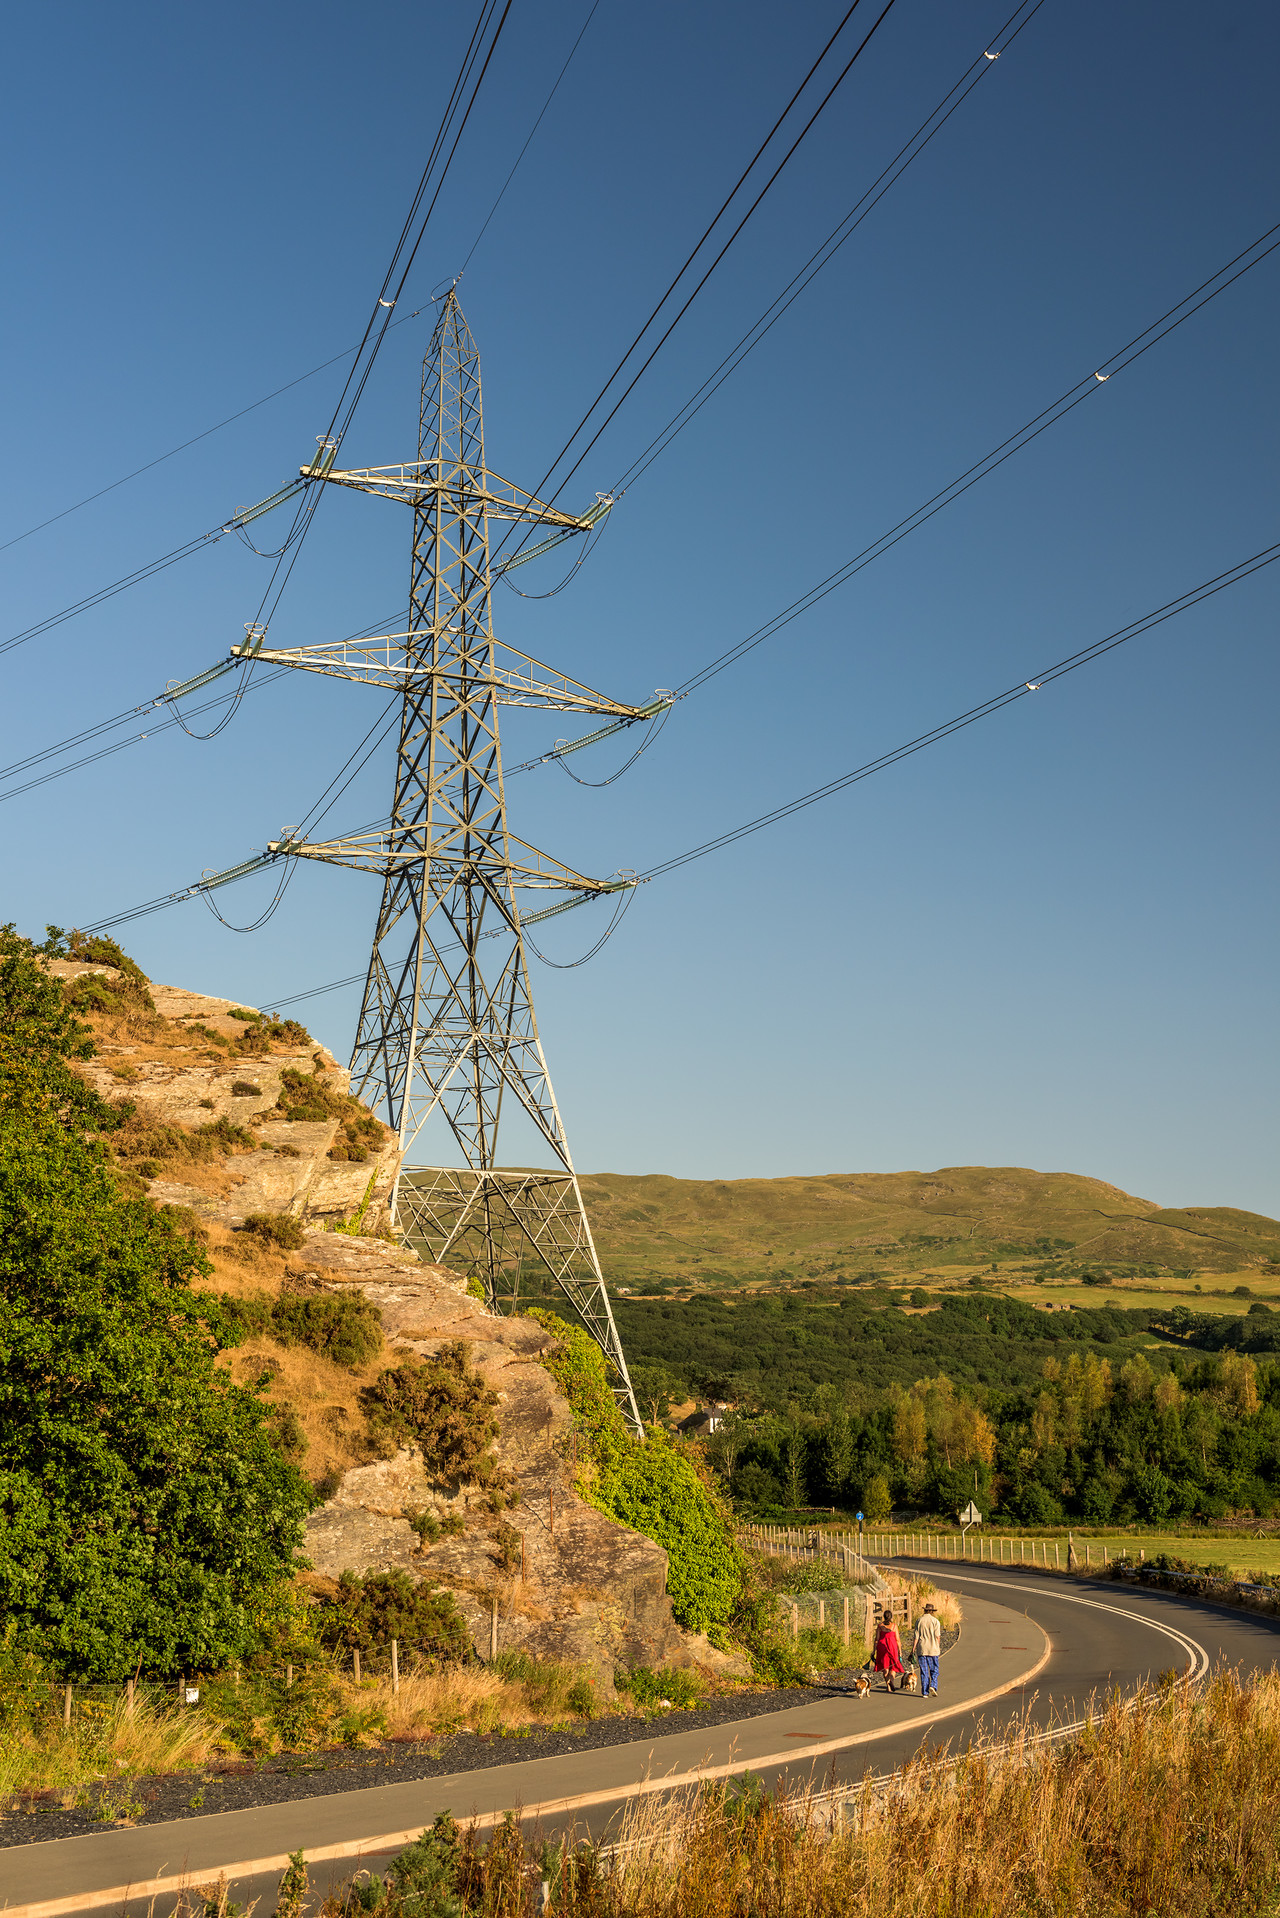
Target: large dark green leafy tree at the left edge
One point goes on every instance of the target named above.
(145, 1512)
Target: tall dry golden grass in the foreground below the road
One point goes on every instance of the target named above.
(1170, 1804)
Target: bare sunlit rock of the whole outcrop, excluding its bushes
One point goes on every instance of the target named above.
(548, 1574)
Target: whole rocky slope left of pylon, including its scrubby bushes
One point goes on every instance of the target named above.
(433, 1434)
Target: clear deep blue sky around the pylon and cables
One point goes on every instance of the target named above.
(1047, 943)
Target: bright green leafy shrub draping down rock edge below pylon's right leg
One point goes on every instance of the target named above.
(653, 1487)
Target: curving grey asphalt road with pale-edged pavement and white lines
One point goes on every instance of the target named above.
(1097, 1637)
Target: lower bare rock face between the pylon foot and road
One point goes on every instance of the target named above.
(573, 1585)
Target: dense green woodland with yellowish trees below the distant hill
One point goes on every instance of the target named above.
(1099, 1415)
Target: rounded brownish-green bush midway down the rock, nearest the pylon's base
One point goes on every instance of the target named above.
(444, 1407)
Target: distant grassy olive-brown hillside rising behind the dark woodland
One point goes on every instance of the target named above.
(922, 1225)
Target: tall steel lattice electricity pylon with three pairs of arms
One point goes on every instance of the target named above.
(448, 1023)
